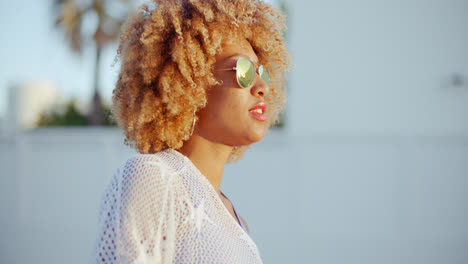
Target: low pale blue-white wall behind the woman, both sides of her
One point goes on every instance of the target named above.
(315, 199)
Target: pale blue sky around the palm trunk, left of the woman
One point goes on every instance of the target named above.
(34, 50)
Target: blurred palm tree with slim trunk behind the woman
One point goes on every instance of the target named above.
(110, 14)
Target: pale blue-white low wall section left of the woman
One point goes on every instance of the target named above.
(52, 182)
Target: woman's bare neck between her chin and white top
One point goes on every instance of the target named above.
(209, 157)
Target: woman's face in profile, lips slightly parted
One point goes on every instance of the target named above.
(228, 117)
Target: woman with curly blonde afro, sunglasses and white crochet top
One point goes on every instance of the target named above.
(200, 81)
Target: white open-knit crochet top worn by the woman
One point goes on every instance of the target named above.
(159, 208)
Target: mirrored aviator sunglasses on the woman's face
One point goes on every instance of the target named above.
(246, 72)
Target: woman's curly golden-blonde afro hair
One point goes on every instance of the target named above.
(167, 54)
